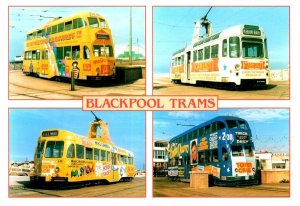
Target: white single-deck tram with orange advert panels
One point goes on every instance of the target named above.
(236, 56)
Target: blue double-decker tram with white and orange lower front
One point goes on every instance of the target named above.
(223, 147)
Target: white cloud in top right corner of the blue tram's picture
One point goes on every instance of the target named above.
(262, 115)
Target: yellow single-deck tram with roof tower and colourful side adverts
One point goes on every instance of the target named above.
(64, 158)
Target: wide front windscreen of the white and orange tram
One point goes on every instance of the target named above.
(252, 50)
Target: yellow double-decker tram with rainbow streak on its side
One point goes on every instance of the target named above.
(81, 43)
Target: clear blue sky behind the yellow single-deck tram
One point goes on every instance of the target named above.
(127, 129)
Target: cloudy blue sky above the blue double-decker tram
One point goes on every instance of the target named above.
(270, 127)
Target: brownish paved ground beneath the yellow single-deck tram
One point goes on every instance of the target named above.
(136, 188)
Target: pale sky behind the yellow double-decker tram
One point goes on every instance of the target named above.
(23, 19)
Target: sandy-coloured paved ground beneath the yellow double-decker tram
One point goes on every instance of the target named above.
(28, 87)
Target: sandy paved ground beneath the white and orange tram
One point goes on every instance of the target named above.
(275, 90)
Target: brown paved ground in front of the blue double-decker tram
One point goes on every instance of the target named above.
(165, 188)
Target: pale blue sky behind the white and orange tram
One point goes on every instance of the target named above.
(174, 26)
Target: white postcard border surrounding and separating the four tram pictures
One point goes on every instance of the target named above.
(149, 200)
